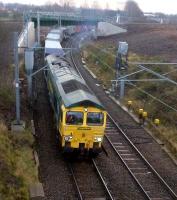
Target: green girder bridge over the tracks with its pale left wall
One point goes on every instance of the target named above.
(31, 33)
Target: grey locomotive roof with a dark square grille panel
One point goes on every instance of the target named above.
(70, 85)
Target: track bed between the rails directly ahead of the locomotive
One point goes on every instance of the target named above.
(83, 183)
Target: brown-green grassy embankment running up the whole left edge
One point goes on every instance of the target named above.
(17, 167)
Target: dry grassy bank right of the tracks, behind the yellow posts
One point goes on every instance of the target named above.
(165, 92)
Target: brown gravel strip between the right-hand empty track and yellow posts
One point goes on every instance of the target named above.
(152, 151)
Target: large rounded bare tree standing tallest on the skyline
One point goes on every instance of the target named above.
(132, 9)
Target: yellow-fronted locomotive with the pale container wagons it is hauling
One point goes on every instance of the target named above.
(79, 115)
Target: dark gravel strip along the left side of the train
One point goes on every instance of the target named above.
(53, 170)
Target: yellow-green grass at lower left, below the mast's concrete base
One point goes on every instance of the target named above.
(16, 164)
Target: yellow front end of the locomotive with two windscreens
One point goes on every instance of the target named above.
(82, 129)
